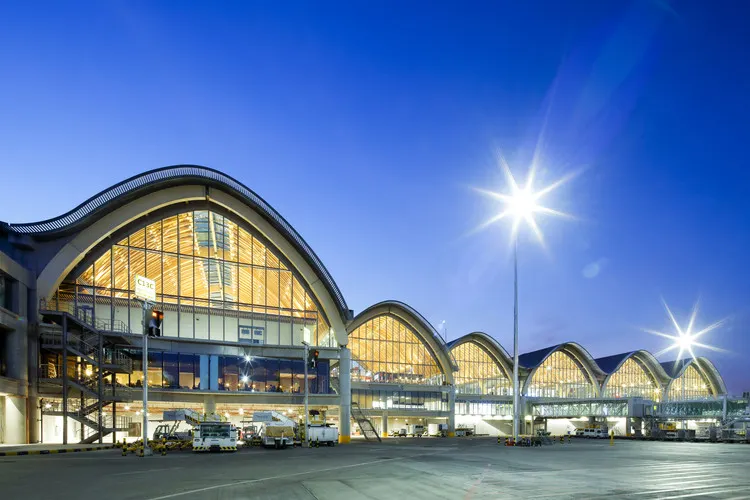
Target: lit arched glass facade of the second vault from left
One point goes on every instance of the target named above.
(386, 350)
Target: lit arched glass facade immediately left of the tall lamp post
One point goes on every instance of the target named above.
(478, 373)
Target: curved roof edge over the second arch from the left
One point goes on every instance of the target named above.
(423, 328)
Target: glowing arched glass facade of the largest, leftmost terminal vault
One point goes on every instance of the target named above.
(214, 280)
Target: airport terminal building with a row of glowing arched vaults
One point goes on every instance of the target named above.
(241, 291)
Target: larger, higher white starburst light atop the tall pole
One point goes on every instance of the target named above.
(523, 203)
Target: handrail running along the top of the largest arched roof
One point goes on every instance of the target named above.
(174, 173)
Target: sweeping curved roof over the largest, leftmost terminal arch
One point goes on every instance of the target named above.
(148, 182)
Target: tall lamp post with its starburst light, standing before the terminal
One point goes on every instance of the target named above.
(521, 204)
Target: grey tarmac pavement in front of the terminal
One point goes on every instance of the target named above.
(396, 469)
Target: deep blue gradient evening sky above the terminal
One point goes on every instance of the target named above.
(366, 124)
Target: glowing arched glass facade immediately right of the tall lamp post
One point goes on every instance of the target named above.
(560, 376)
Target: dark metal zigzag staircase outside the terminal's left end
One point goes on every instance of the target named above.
(80, 366)
